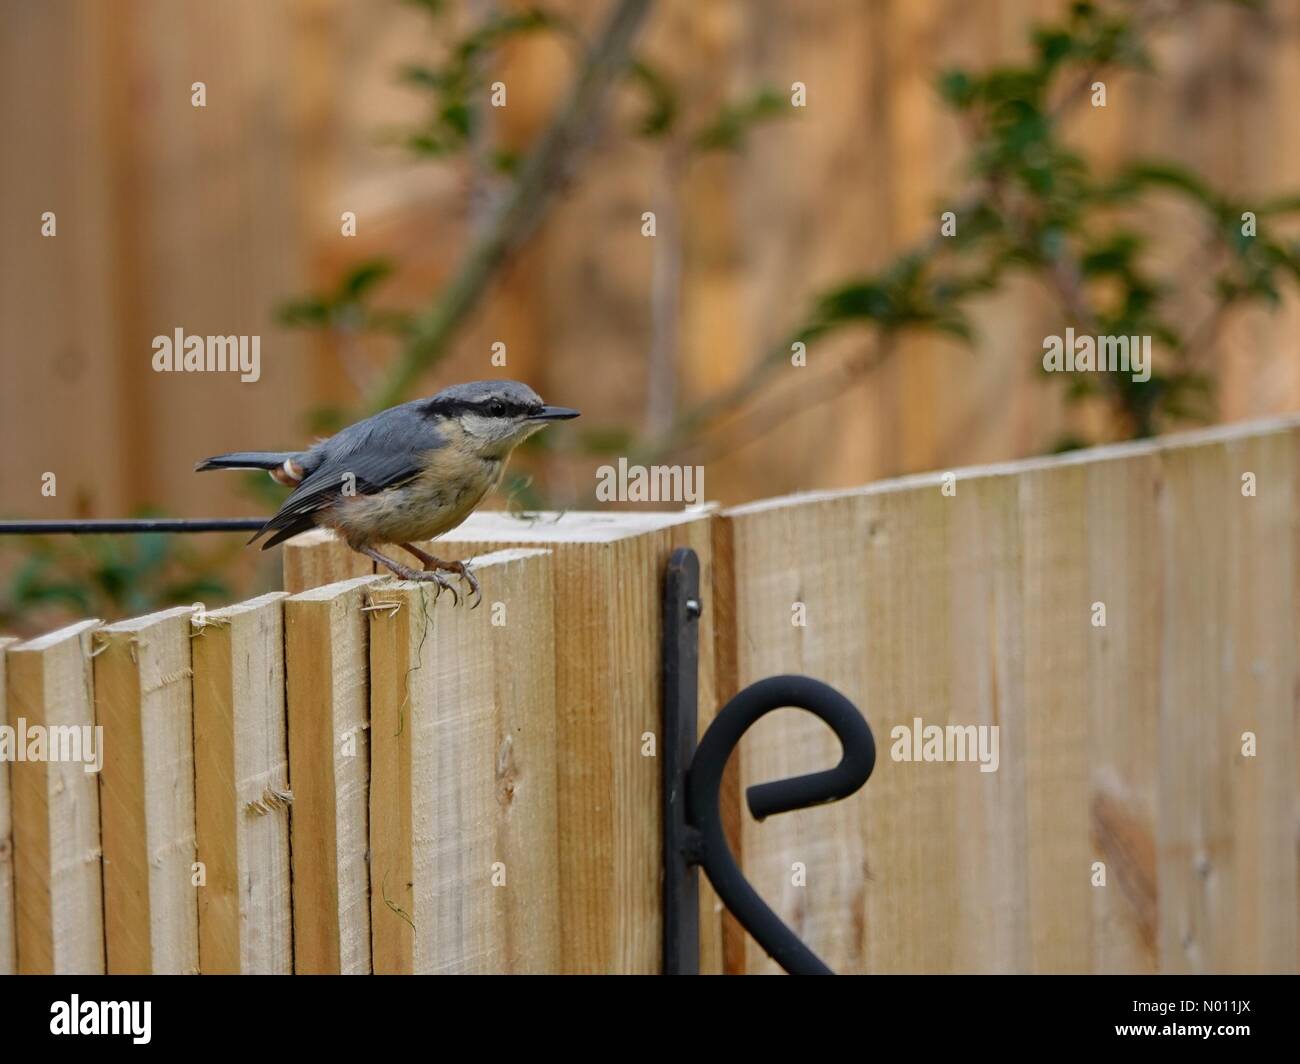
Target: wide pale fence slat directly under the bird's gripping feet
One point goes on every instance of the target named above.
(463, 802)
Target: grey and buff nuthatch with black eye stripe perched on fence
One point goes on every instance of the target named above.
(411, 473)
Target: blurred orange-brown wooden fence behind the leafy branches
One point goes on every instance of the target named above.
(207, 219)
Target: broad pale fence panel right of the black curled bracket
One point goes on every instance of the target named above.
(1128, 621)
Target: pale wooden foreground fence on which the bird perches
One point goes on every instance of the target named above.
(356, 776)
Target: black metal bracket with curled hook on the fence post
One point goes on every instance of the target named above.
(694, 834)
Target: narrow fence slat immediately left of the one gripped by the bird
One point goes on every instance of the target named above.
(327, 669)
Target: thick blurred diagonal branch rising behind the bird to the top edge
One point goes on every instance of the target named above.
(518, 215)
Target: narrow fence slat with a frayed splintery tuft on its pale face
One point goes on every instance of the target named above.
(242, 790)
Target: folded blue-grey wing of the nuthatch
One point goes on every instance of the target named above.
(379, 453)
